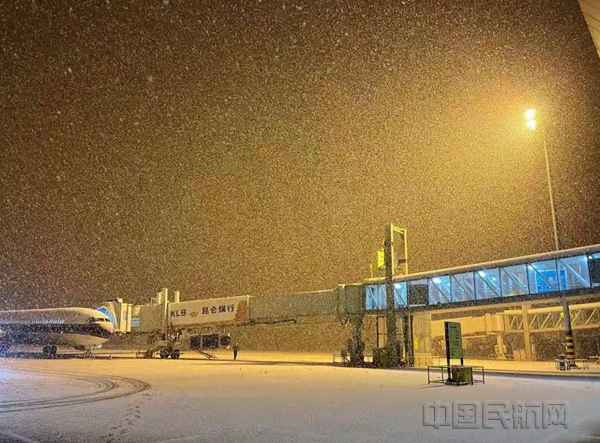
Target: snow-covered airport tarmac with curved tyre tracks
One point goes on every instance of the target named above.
(225, 401)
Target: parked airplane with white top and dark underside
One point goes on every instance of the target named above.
(82, 328)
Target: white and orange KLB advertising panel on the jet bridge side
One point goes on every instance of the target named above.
(209, 311)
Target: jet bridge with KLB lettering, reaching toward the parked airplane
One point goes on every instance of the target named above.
(163, 320)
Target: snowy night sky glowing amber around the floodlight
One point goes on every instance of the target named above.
(233, 147)
